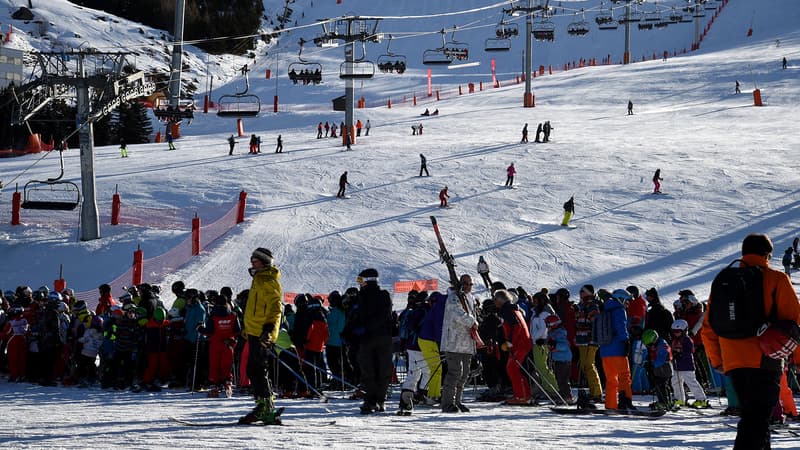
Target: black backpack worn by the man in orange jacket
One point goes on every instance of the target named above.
(736, 310)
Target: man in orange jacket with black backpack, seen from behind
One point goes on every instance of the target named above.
(742, 300)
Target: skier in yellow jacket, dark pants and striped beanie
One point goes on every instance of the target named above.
(262, 319)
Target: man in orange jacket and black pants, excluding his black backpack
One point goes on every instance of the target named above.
(755, 376)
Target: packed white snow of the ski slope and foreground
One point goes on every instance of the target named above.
(729, 169)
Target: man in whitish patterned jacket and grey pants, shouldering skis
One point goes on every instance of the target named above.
(457, 344)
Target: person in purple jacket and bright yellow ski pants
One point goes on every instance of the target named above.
(429, 339)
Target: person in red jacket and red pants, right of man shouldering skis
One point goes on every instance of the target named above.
(517, 342)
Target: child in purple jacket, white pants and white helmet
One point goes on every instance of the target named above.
(683, 360)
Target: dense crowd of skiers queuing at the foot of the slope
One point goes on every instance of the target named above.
(526, 348)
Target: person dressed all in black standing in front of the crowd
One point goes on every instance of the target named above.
(373, 325)
